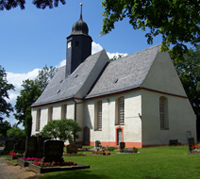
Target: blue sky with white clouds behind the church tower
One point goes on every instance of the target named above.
(33, 38)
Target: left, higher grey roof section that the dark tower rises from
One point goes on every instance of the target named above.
(61, 88)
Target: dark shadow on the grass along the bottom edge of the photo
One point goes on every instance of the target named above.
(74, 174)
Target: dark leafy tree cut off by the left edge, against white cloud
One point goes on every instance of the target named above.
(5, 107)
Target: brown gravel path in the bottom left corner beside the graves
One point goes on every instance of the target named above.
(9, 171)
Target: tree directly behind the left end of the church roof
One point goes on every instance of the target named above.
(32, 89)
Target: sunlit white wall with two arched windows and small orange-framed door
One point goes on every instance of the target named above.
(131, 130)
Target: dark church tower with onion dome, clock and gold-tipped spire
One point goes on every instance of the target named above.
(78, 45)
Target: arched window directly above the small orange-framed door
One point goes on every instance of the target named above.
(120, 111)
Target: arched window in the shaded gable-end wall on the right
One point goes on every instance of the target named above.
(164, 123)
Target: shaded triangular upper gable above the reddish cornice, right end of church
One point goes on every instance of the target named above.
(163, 77)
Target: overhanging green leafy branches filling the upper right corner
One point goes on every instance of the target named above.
(177, 21)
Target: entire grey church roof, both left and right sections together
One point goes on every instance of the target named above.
(120, 75)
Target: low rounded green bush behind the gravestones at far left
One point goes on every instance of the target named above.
(16, 133)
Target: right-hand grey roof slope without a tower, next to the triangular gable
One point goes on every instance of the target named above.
(126, 73)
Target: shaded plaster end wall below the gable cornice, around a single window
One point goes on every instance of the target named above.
(180, 114)
